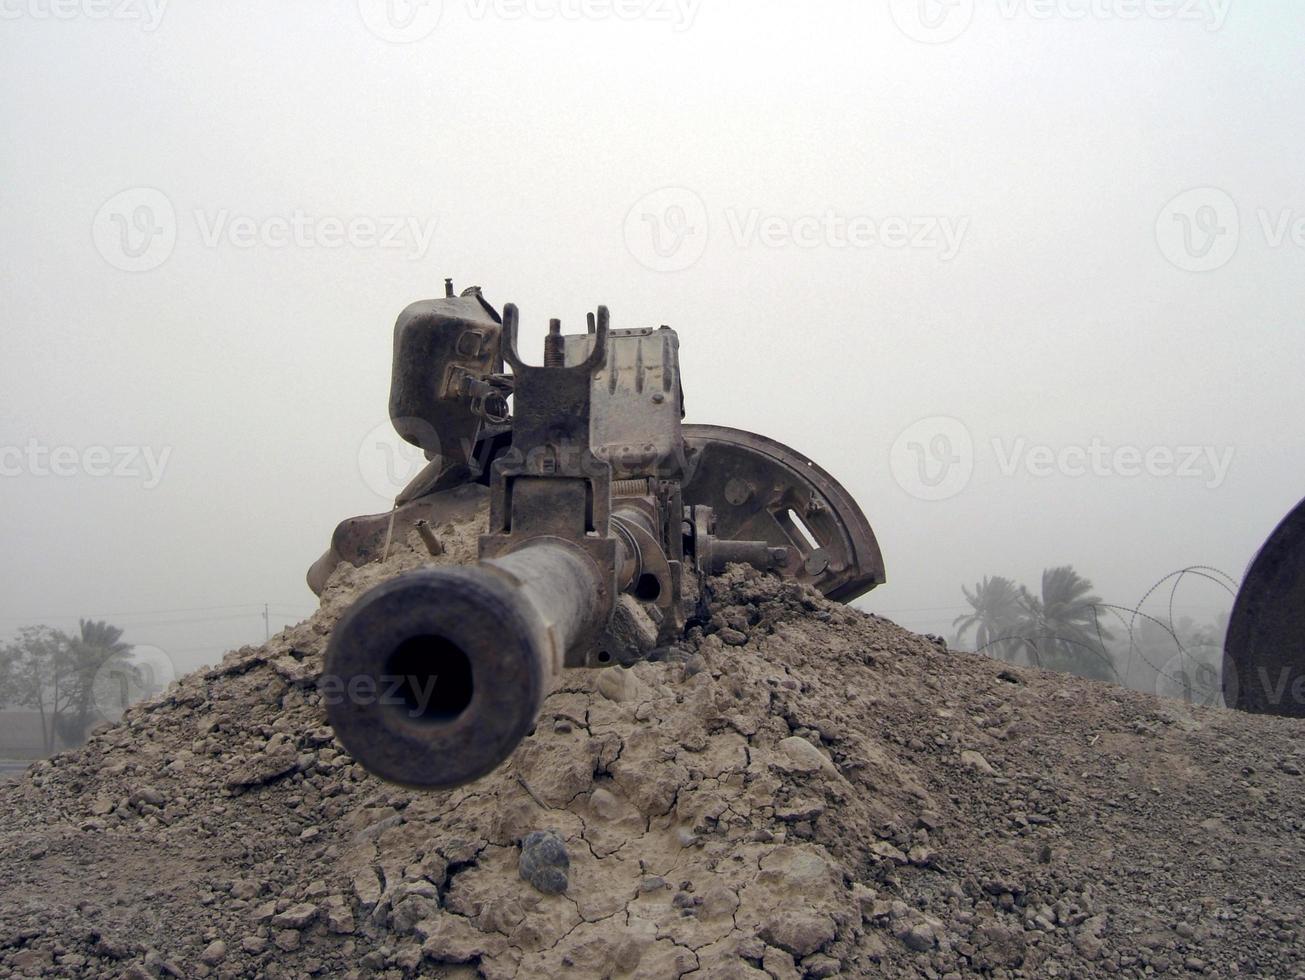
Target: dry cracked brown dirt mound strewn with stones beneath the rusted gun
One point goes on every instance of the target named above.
(803, 791)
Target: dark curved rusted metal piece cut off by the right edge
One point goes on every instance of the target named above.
(1264, 669)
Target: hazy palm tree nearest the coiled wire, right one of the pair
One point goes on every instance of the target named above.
(1060, 628)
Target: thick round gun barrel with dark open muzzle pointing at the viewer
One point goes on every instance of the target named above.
(434, 678)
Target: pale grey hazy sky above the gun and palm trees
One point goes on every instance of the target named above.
(1026, 276)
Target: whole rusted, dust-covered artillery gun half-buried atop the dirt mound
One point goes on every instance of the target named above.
(607, 516)
